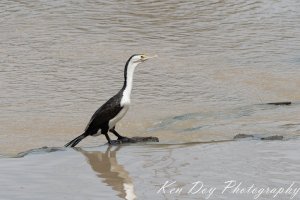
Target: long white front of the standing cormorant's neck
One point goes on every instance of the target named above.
(128, 83)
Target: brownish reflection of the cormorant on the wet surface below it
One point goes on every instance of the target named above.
(113, 174)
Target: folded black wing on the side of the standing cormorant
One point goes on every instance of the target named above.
(106, 112)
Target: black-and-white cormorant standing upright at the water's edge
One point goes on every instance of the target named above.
(106, 117)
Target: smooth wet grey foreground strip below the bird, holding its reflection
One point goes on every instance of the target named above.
(139, 171)
